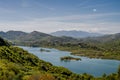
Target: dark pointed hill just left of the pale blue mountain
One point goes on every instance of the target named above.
(40, 39)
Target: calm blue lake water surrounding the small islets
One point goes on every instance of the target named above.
(95, 67)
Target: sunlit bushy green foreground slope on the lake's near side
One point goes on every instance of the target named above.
(18, 64)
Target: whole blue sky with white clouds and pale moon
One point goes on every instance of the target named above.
(98, 16)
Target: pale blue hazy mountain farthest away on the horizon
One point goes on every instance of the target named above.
(75, 34)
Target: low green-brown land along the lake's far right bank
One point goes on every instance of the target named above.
(108, 50)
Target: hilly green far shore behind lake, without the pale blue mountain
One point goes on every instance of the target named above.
(106, 47)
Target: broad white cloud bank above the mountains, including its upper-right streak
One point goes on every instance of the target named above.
(48, 25)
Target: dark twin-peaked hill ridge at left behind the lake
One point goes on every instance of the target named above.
(34, 38)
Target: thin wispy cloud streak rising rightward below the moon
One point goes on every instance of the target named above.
(81, 17)
